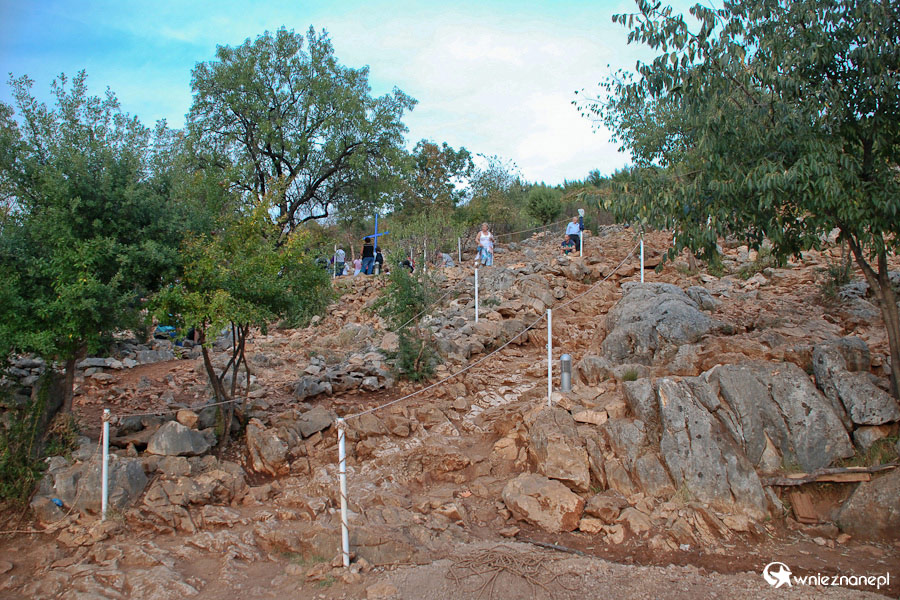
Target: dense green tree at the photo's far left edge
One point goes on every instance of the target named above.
(90, 229)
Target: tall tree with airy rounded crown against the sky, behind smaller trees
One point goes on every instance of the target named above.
(289, 119)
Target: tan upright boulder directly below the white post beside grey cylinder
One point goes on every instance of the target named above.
(556, 449)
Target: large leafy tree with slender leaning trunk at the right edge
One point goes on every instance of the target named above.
(771, 119)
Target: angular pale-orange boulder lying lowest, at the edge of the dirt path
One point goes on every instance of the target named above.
(543, 502)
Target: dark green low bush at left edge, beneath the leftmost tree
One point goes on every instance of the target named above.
(24, 442)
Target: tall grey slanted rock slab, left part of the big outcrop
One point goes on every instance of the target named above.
(701, 455)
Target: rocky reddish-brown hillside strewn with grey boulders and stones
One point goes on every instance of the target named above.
(708, 413)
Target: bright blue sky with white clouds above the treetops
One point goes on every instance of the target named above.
(497, 77)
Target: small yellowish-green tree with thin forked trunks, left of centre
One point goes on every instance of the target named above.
(234, 279)
